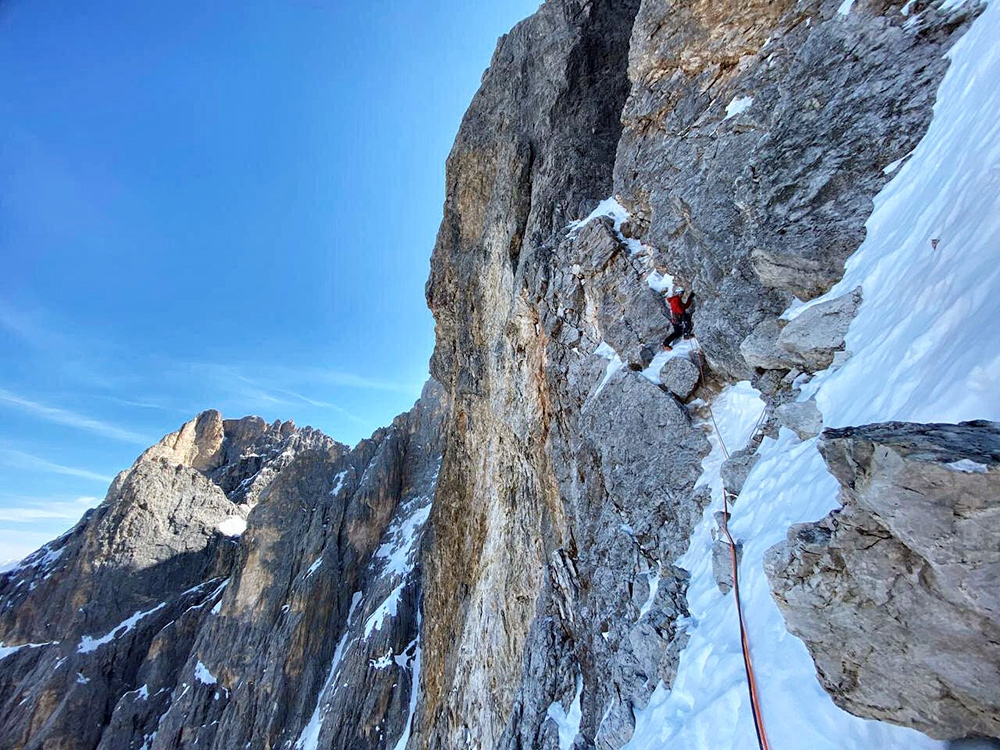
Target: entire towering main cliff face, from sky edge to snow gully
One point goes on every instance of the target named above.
(567, 487)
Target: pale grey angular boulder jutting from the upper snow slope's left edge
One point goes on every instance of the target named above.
(816, 334)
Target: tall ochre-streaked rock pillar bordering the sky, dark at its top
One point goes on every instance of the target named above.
(535, 149)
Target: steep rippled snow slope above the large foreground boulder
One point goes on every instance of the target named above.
(925, 340)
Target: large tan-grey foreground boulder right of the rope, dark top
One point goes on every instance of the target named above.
(897, 595)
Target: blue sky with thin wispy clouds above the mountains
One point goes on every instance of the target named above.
(214, 205)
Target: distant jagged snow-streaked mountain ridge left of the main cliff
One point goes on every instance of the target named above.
(155, 629)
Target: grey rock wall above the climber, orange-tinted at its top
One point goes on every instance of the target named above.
(755, 136)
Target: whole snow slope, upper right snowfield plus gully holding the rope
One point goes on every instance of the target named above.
(924, 349)
